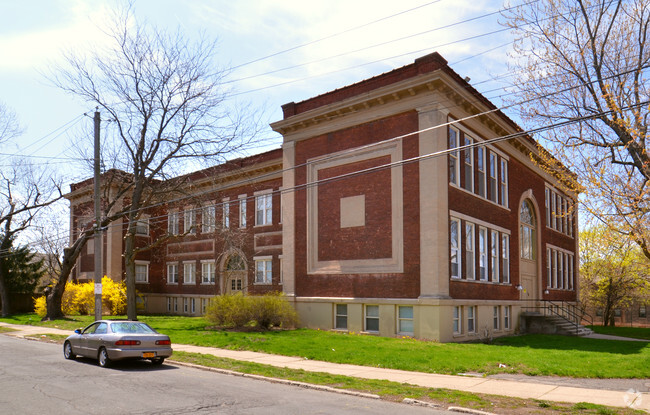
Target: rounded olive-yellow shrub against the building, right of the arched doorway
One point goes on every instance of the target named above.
(237, 311)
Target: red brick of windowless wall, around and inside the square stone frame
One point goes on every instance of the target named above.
(402, 285)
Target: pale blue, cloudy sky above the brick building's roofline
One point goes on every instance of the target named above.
(33, 35)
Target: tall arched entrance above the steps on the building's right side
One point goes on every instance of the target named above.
(528, 253)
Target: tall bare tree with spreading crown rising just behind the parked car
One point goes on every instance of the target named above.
(165, 102)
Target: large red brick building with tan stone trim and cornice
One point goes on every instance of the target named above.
(390, 209)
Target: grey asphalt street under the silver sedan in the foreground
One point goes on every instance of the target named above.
(36, 379)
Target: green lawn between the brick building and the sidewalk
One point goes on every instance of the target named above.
(530, 354)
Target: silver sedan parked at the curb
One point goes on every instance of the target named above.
(108, 340)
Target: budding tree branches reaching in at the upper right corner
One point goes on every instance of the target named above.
(588, 60)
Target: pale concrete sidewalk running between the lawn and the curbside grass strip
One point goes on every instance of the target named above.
(528, 389)
